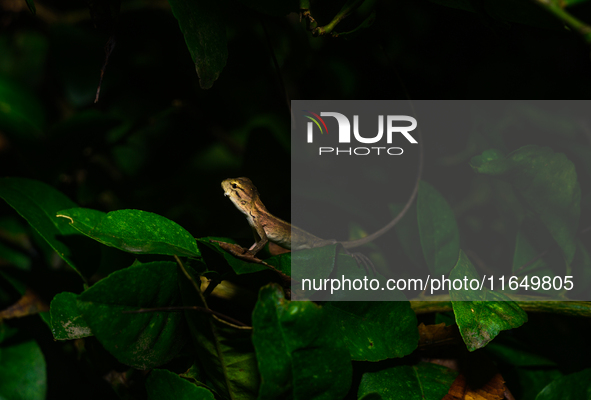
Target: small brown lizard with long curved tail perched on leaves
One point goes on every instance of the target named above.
(267, 227)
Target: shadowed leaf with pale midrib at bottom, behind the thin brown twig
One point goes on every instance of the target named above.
(224, 350)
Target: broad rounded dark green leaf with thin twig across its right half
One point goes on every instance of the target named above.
(143, 340)
